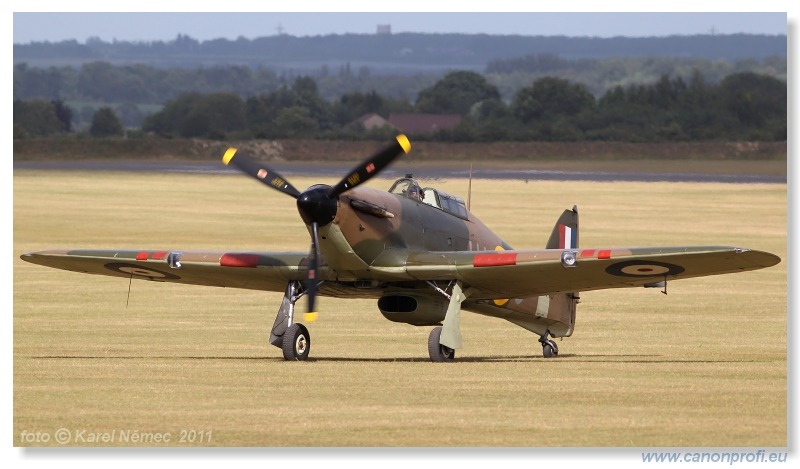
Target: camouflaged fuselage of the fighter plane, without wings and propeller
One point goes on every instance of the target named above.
(373, 233)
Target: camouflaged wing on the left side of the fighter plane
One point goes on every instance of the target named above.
(269, 271)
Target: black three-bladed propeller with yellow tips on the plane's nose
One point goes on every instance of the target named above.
(318, 204)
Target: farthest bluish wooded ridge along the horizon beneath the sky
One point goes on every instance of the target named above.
(398, 50)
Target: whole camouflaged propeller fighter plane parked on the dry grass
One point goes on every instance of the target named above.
(421, 254)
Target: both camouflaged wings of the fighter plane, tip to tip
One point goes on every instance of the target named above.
(489, 274)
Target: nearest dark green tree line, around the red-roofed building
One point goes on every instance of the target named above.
(743, 106)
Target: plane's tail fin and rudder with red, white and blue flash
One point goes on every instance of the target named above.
(562, 307)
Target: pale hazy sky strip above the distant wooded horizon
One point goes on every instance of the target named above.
(44, 26)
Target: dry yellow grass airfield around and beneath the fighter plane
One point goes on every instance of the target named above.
(705, 365)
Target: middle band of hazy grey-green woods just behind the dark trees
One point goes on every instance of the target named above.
(145, 85)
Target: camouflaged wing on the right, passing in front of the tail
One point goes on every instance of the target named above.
(526, 273)
